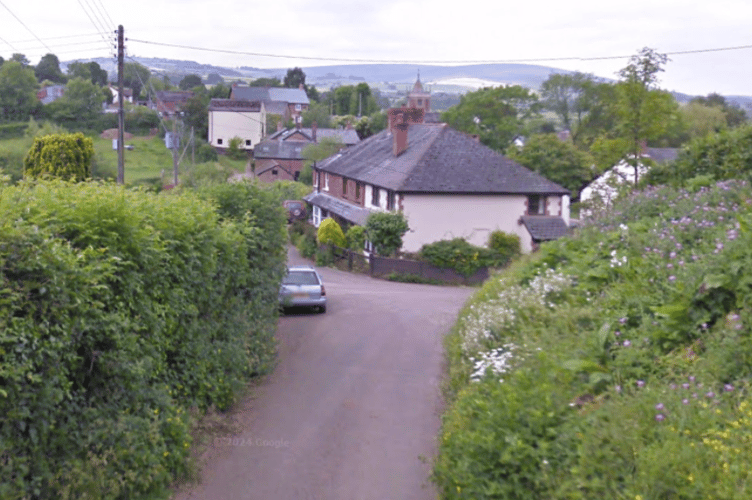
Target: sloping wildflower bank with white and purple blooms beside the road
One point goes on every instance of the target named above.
(615, 363)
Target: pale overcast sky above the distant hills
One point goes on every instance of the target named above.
(592, 36)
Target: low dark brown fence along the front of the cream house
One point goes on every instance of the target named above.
(381, 267)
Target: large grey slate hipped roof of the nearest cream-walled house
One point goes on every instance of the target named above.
(438, 160)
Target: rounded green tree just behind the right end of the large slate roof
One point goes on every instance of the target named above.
(557, 160)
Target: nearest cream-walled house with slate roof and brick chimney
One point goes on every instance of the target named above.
(445, 182)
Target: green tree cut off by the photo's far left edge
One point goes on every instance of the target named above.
(18, 87)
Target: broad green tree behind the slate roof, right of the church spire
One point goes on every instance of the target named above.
(497, 115)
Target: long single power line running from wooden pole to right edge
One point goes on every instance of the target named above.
(415, 61)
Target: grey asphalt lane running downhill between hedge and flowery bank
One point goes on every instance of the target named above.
(353, 404)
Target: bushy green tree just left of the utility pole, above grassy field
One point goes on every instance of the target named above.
(81, 104)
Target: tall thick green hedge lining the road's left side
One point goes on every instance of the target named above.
(119, 311)
